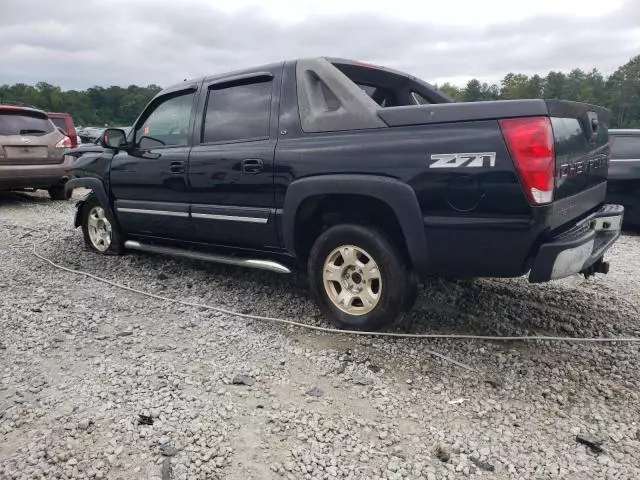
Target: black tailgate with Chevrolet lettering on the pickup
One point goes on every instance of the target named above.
(582, 154)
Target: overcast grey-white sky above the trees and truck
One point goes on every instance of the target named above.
(80, 43)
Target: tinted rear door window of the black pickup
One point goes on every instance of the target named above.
(239, 112)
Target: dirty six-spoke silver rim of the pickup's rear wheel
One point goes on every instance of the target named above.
(352, 280)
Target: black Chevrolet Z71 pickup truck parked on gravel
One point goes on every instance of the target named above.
(363, 177)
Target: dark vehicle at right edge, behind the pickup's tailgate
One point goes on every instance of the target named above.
(624, 173)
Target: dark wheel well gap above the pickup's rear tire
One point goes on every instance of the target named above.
(319, 212)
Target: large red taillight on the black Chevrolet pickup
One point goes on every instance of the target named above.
(530, 142)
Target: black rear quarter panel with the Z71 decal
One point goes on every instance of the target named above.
(476, 218)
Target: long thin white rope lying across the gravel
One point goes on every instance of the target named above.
(335, 330)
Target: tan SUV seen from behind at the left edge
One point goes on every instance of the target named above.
(32, 152)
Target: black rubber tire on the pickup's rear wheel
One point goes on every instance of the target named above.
(394, 276)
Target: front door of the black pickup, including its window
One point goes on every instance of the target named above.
(149, 181)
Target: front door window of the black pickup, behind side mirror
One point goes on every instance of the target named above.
(167, 124)
